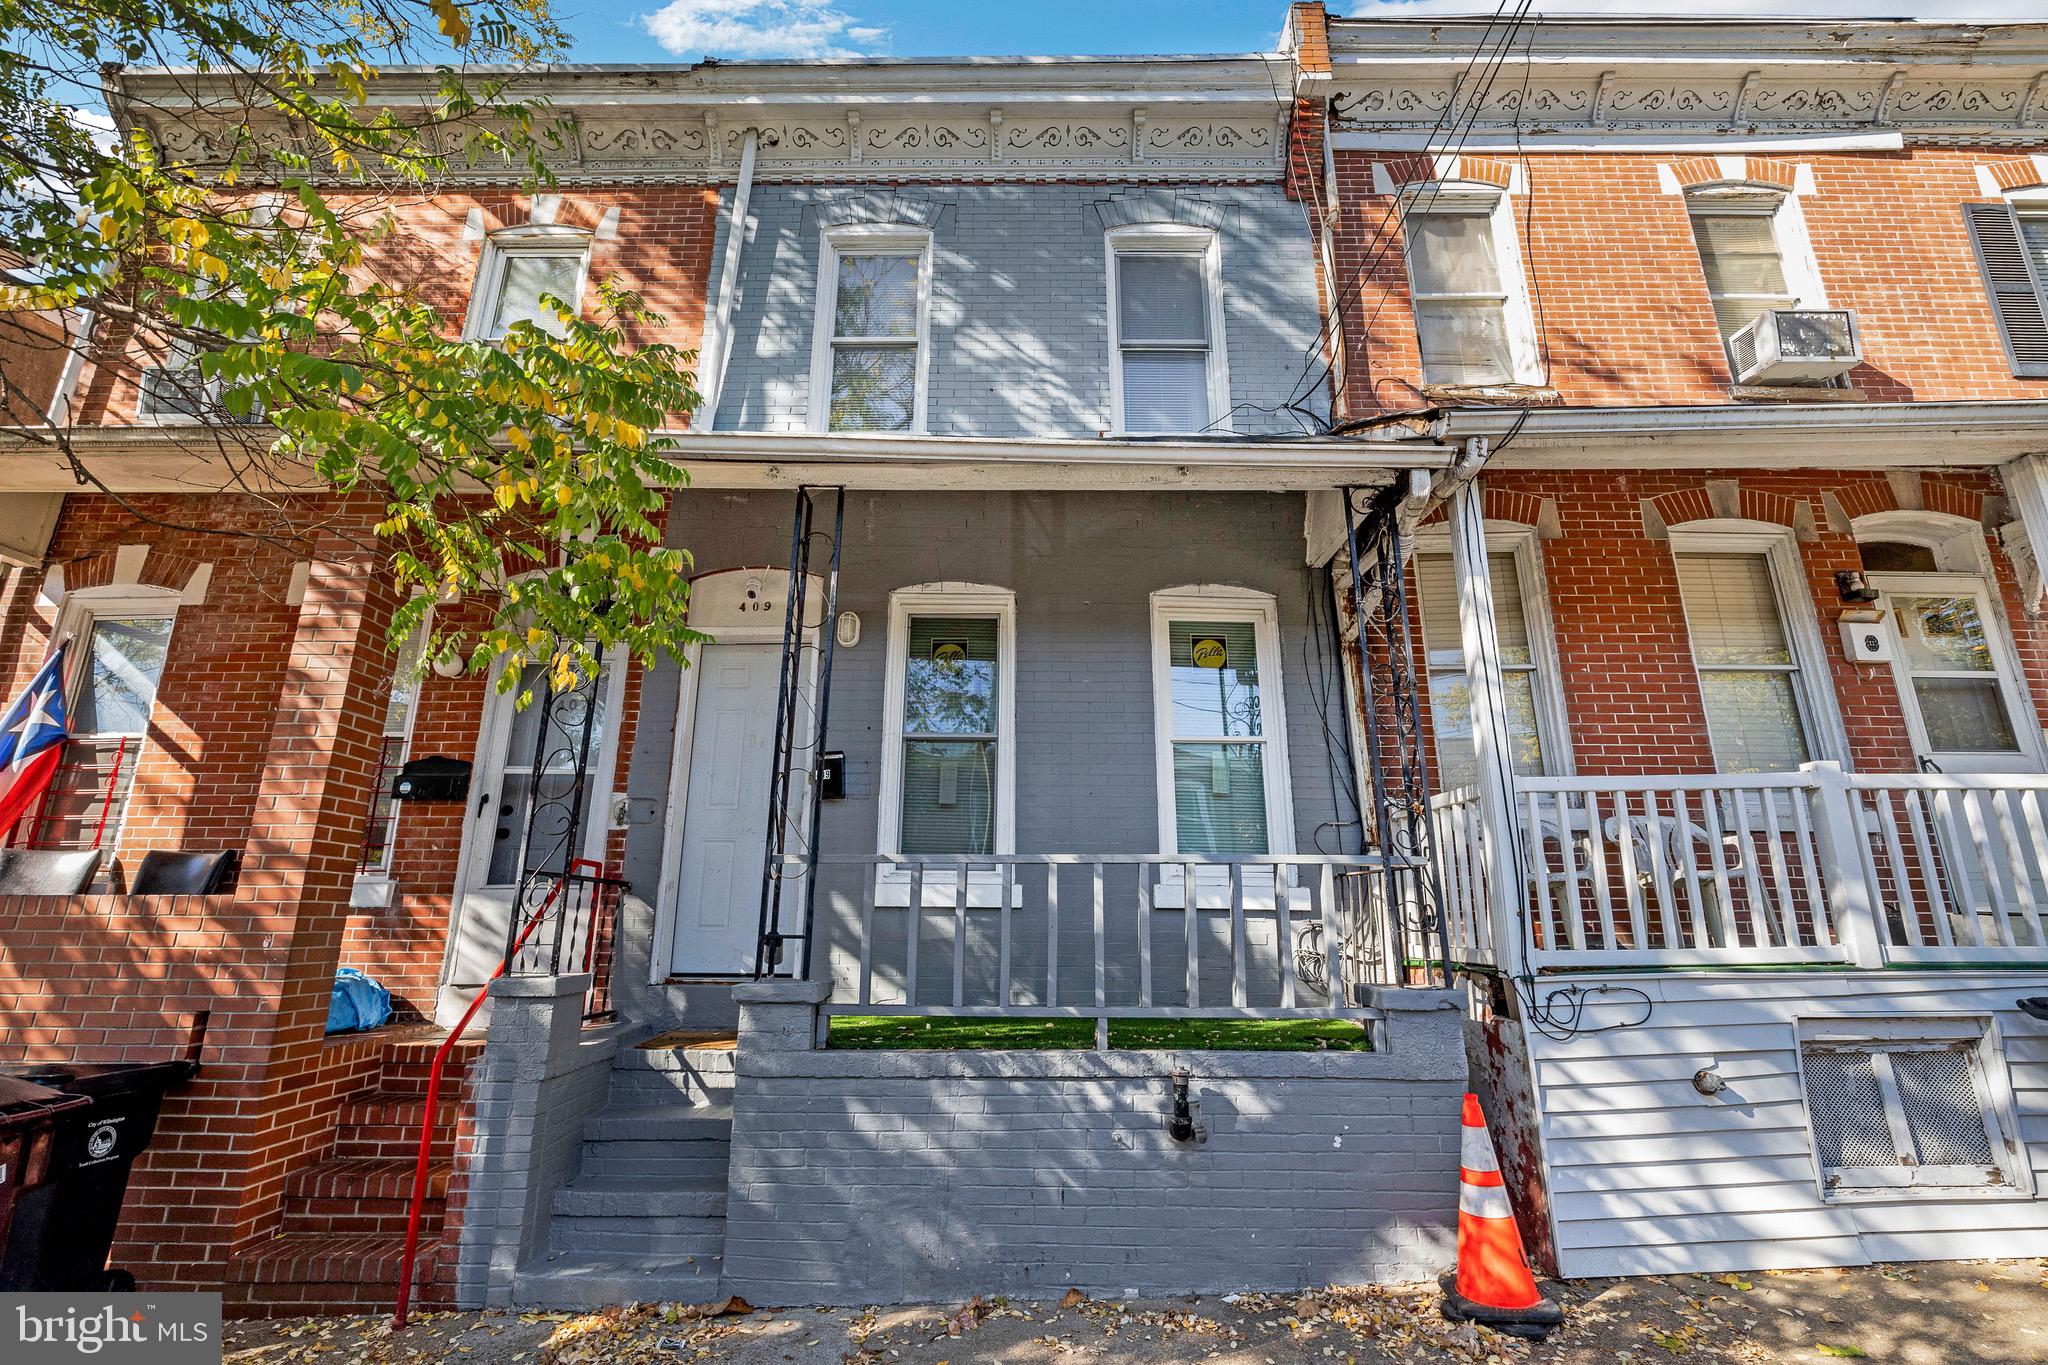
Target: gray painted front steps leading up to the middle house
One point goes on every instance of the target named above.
(646, 1217)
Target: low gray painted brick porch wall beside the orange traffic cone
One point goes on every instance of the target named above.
(871, 1178)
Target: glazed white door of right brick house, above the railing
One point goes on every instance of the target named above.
(1957, 674)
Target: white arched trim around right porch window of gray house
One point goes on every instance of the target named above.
(1230, 605)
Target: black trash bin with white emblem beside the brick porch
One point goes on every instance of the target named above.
(65, 1231)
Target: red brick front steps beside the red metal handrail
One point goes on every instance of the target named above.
(343, 1233)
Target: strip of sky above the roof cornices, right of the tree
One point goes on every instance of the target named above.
(691, 30)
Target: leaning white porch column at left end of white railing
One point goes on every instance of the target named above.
(1500, 850)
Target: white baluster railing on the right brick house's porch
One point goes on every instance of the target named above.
(1814, 867)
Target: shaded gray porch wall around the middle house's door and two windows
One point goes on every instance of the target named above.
(1084, 568)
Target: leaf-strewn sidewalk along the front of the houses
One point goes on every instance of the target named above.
(1983, 1313)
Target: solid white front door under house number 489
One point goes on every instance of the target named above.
(726, 809)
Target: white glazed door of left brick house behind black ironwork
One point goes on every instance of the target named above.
(521, 801)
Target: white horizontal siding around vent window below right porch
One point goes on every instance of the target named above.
(1652, 1178)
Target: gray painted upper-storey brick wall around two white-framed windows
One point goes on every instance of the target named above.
(1021, 300)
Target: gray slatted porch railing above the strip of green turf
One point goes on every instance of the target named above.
(1099, 936)
